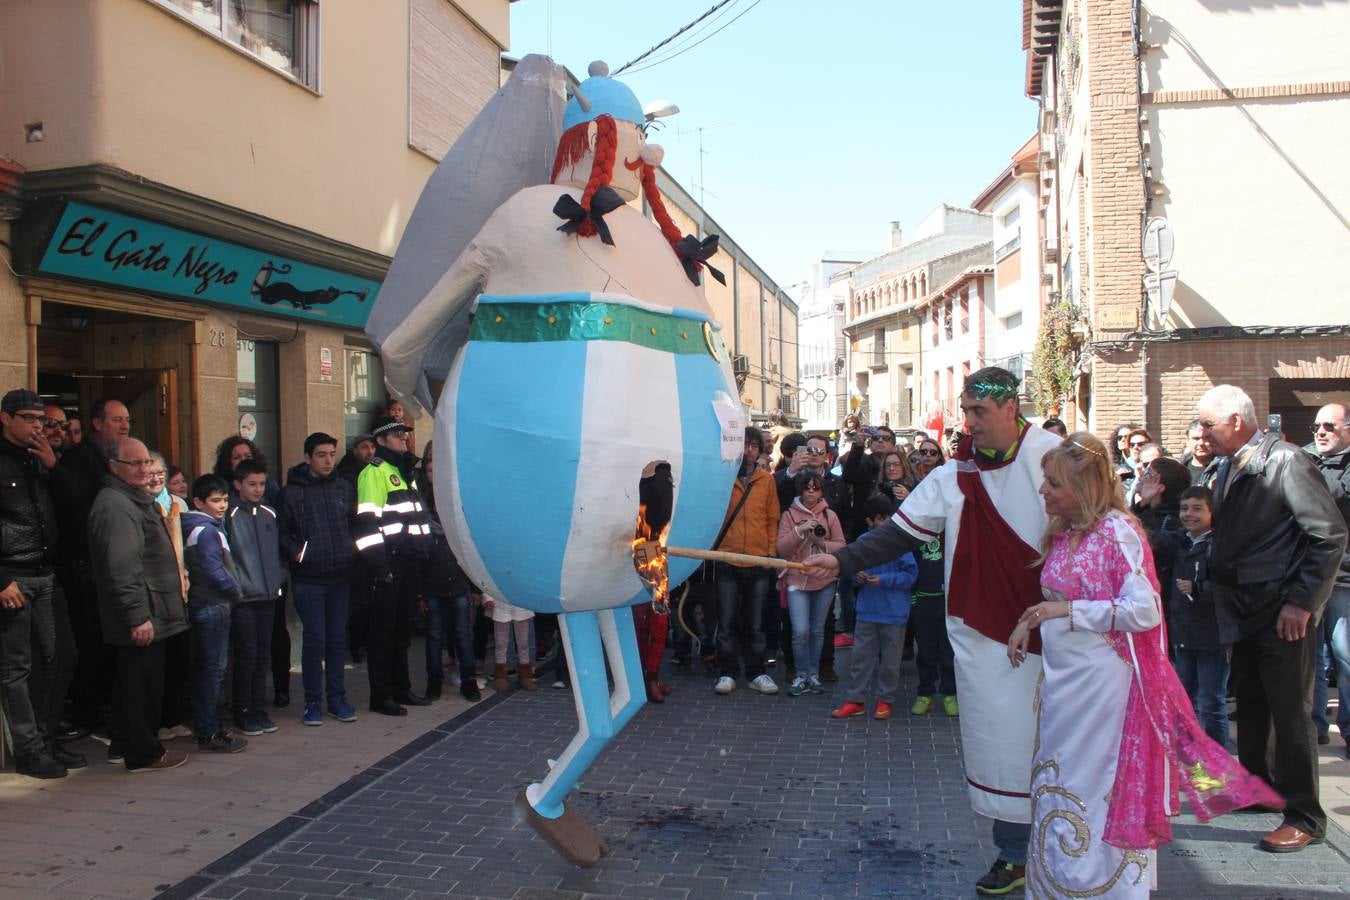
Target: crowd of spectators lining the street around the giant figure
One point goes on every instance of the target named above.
(132, 590)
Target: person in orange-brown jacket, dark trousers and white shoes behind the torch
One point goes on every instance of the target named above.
(743, 592)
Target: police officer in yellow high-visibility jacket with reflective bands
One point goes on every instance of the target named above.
(394, 536)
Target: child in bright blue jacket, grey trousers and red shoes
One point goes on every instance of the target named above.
(884, 608)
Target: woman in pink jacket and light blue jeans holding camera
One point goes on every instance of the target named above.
(808, 527)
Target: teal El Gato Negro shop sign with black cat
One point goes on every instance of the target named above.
(114, 249)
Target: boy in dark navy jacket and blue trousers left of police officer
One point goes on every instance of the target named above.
(315, 535)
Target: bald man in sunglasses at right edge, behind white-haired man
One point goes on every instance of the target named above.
(1330, 450)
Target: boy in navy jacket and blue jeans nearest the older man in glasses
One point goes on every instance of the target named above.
(213, 592)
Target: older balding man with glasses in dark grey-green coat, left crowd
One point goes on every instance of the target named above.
(140, 604)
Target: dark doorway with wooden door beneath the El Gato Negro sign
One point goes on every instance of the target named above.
(87, 354)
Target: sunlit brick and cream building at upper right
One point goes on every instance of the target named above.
(1216, 130)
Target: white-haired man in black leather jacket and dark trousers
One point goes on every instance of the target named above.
(1279, 540)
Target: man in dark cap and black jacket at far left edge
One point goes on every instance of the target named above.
(29, 476)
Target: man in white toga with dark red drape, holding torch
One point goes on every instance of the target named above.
(986, 503)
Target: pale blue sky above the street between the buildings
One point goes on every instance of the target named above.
(823, 121)
